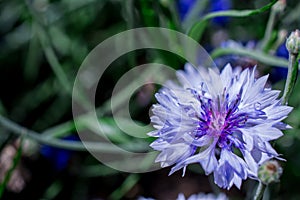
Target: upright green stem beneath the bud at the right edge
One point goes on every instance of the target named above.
(291, 77)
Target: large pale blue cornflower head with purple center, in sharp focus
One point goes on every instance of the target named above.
(223, 121)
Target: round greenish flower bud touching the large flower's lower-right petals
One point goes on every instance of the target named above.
(269, 172)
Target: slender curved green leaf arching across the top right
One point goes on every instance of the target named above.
(198, 28)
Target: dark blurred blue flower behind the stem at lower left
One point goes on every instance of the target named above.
(58, 157)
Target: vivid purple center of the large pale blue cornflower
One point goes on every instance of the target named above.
(219, 119)
